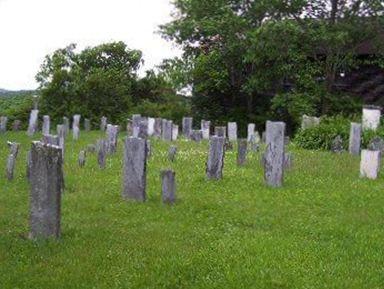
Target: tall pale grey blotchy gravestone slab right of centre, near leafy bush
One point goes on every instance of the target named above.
(274, 154)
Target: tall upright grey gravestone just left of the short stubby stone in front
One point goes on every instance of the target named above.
(134, 172)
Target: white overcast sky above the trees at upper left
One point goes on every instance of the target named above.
(31, 29)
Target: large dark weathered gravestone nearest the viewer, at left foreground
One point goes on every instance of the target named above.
(46, 178)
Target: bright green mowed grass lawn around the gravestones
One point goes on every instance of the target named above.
(323, 229)
